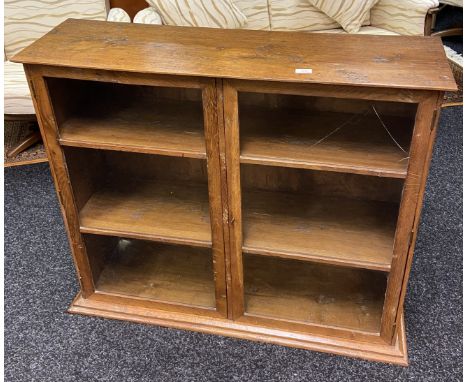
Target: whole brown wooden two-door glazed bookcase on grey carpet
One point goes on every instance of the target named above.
(207, 185)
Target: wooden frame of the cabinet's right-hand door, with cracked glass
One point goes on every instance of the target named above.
(413, 191)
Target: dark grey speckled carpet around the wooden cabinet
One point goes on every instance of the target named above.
(43, 343)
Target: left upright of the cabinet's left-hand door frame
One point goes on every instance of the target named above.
(49, 131)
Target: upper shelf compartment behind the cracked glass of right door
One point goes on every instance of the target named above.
(289, 138)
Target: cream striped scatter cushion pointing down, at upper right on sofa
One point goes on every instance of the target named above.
(350, 14)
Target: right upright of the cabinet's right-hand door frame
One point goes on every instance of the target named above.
(413, 191)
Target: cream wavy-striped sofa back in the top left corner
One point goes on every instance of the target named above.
(27, 20)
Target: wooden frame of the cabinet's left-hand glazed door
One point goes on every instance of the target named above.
(50, 131)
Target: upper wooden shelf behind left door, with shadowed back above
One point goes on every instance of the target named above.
(174, 129)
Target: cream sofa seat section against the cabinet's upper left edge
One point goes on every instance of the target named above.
(16, 91)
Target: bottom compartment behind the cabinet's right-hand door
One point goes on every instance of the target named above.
(314, 293)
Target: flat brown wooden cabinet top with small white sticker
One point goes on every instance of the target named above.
(358, 60)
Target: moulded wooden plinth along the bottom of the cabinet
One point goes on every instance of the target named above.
(395, 353)
